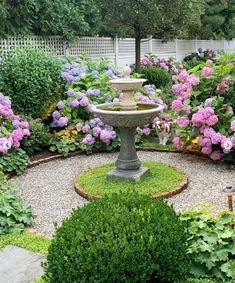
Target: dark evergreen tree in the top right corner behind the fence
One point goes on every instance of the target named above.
(218, 20)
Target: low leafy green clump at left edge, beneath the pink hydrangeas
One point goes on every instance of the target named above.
(15, 160)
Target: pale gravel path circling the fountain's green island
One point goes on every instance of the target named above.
(49, 187)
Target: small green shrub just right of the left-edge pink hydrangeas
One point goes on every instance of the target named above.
(39, 138)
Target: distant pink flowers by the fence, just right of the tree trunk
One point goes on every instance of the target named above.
(167, 65)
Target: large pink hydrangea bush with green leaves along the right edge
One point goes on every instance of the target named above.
(204, 108)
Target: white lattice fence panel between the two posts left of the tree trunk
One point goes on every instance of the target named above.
(92, 46)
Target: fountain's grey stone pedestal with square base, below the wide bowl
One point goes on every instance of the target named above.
(128, 163)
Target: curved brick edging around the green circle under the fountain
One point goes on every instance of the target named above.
(181, 187)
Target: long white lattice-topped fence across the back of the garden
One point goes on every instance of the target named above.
(120, 51)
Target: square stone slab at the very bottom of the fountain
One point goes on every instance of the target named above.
(128, 175)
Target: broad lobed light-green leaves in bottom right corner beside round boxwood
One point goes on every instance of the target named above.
(212, 245)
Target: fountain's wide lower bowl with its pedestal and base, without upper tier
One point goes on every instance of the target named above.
(128, 165)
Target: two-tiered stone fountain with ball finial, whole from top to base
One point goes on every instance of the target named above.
(127, 116)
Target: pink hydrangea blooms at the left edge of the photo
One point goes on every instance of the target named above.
(13, 130)
